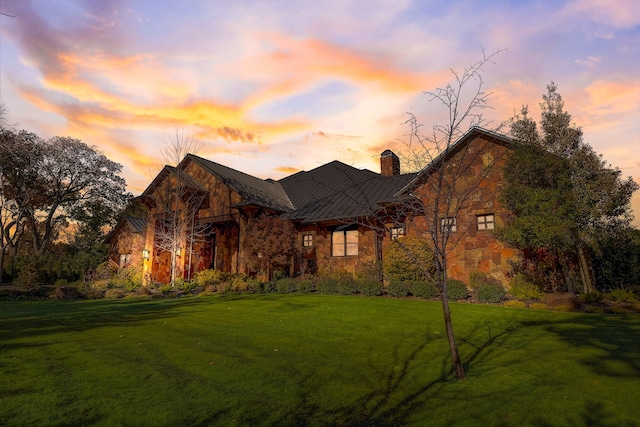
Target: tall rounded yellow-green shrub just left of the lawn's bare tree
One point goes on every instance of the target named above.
(407, 258)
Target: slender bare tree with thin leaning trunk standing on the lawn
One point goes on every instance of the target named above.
(446, 185)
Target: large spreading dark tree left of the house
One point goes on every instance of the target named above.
(49, 187)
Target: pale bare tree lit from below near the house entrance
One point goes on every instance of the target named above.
(177, 229)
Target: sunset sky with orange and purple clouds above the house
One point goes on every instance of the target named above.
(273, 87)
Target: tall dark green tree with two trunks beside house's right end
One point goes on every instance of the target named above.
(564, 196)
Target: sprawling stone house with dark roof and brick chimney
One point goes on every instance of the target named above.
(344, 216)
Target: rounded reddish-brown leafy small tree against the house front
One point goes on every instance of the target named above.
(270, 244)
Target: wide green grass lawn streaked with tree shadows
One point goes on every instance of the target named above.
(287, 360)
